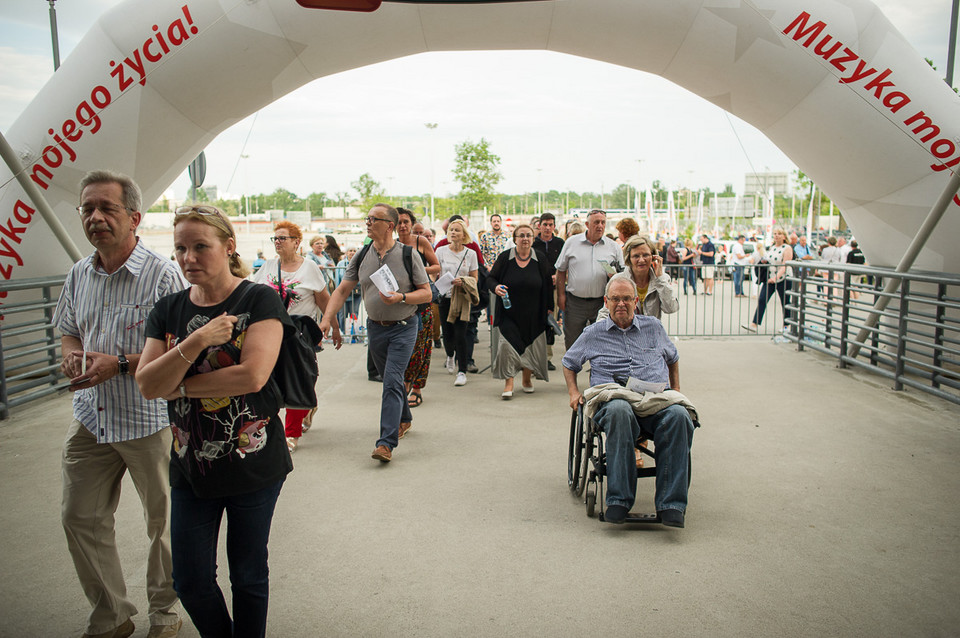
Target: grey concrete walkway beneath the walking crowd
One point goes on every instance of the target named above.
(822, 504)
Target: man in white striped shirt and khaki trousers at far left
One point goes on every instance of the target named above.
(101, 316)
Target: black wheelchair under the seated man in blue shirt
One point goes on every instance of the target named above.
(586, 466)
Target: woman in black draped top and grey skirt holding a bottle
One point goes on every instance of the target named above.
(522, 279)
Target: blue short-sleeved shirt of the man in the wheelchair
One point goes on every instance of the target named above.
(643, 351)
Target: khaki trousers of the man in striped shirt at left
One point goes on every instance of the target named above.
(92, 474)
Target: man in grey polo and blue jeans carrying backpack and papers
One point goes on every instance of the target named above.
(392, 321)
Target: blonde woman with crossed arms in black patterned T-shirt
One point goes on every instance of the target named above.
(209, 352)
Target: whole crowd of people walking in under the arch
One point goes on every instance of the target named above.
(172, 383)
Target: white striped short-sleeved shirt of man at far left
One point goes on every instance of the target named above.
(108, 313)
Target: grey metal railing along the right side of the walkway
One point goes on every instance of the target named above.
(916, 343)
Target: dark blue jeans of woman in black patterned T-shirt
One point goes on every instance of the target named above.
(194, 529)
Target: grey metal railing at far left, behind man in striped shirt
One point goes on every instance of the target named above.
(30, 347)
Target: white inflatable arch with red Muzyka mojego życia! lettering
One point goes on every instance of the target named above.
(831, 82)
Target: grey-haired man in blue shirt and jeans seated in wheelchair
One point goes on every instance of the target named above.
(636, 345)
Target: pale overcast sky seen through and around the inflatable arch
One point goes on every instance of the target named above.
(538, 109)
